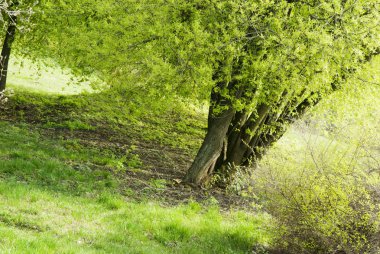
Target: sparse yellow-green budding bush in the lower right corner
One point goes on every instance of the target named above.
(323, 192)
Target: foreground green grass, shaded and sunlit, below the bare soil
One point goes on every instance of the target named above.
(53, 200)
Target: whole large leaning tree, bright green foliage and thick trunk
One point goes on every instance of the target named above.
(263, 61)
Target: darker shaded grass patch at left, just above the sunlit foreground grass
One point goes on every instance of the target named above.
(29, 158)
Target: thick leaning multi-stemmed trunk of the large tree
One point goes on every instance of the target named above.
(236, 139)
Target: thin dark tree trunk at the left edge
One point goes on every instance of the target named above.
(6, 51)
